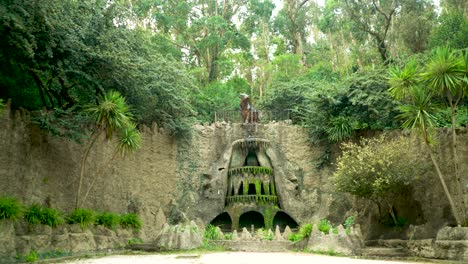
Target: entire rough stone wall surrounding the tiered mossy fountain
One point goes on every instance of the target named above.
(177, 181)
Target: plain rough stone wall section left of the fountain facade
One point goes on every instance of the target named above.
(38, 168)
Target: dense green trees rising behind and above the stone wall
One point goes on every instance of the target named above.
(181, 61)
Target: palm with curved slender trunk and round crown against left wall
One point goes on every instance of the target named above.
(110, 114)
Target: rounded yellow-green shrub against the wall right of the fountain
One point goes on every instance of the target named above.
(374, 169)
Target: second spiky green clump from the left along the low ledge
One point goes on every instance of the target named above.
(37, 214)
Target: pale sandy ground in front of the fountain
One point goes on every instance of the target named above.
(233, 258)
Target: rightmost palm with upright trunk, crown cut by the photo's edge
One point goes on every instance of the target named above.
(444, 75)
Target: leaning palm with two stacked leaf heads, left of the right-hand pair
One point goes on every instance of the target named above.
(416, 115)
